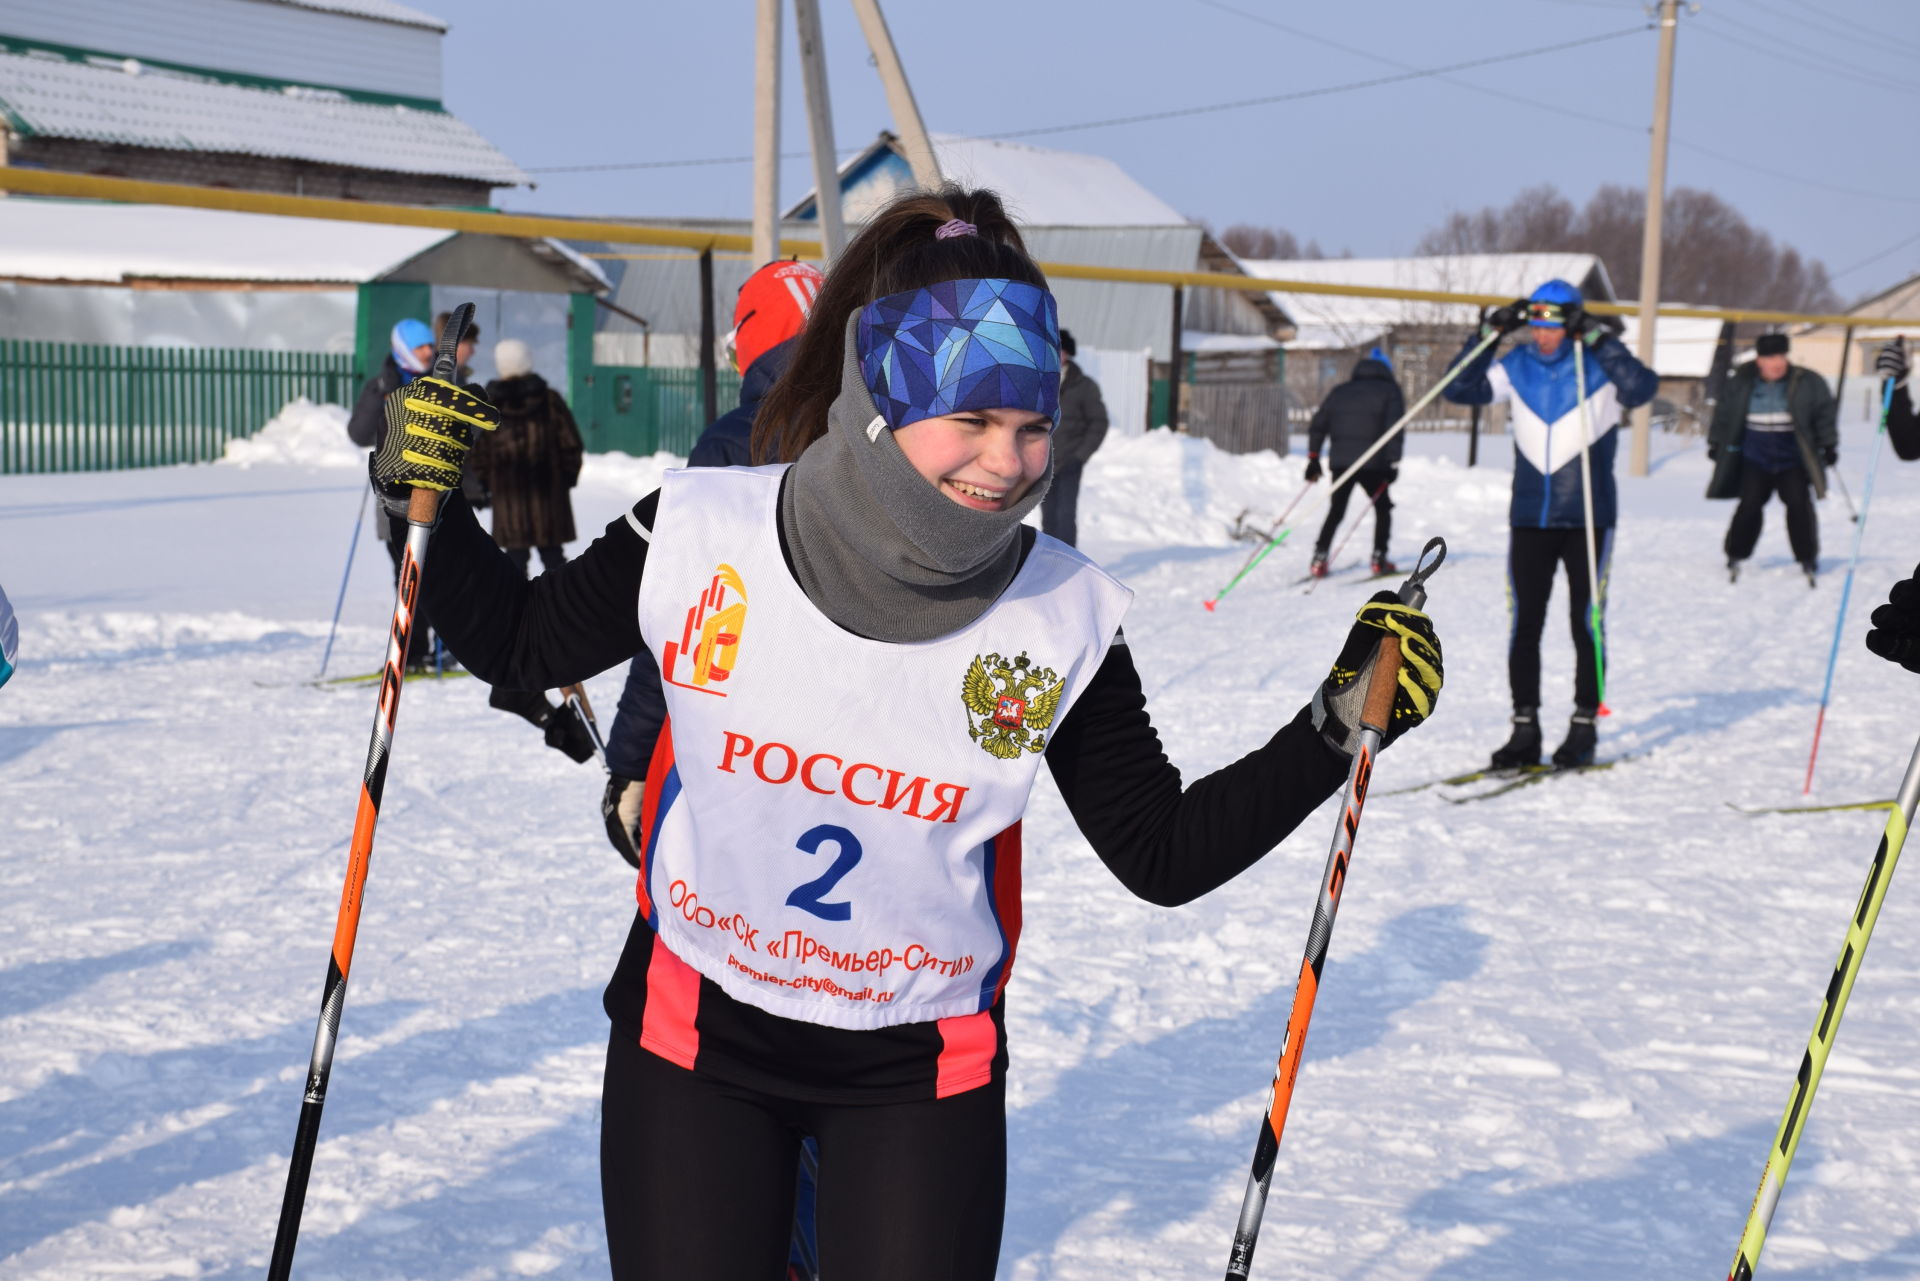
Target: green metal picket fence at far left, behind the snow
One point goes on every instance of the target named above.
(68, 406)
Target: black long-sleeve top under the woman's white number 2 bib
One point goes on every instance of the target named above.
(1164, 844)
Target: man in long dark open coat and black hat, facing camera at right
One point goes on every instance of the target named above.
(1771, 433)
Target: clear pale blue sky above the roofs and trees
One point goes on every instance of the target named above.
(1794, 110)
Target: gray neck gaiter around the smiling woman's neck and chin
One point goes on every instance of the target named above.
(876, 548)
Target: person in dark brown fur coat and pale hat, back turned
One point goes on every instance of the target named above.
(531, 464)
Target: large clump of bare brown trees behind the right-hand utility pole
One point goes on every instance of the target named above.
(1710, 253)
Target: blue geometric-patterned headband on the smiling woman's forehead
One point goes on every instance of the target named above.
(961, 345)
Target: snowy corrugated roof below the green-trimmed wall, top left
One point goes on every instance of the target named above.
(133, 105)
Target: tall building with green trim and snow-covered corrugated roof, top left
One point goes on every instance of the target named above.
(304, 97)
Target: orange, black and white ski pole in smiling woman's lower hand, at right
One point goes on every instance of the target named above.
(1293, 1046)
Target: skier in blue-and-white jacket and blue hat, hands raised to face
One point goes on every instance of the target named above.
(1537, 381)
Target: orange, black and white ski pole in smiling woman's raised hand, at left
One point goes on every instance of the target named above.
(421, 512)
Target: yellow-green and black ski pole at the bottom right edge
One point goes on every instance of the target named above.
(1833, 1007)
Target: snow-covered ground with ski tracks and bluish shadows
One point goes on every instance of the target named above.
(1554, 1036)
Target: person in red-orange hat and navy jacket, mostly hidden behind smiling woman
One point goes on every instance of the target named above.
(769, 316)
